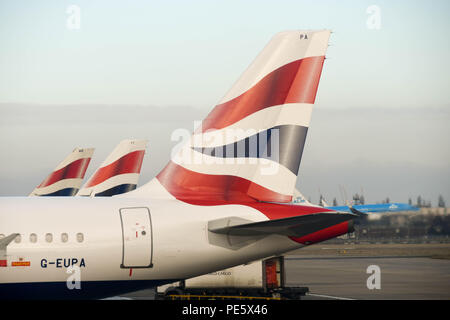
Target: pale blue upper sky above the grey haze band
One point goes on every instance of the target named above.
(169, 53)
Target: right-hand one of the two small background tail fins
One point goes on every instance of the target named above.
(119, 173)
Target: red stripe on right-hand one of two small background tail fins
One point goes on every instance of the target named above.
(129, 163)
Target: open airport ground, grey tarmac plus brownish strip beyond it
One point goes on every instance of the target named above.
(340, 271)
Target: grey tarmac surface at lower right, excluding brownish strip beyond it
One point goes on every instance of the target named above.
(346, 277)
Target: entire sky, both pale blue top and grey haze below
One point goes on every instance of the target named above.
(142, 69)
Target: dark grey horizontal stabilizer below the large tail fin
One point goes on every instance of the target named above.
(297, 226)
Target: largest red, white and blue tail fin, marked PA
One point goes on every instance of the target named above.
(250, 145)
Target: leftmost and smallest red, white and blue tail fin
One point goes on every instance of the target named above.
(68, 176)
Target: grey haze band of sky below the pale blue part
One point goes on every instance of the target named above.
(389, 152)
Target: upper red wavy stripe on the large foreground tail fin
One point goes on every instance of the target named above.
(295, 82)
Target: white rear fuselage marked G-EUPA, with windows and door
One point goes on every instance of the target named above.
(106, 244)
